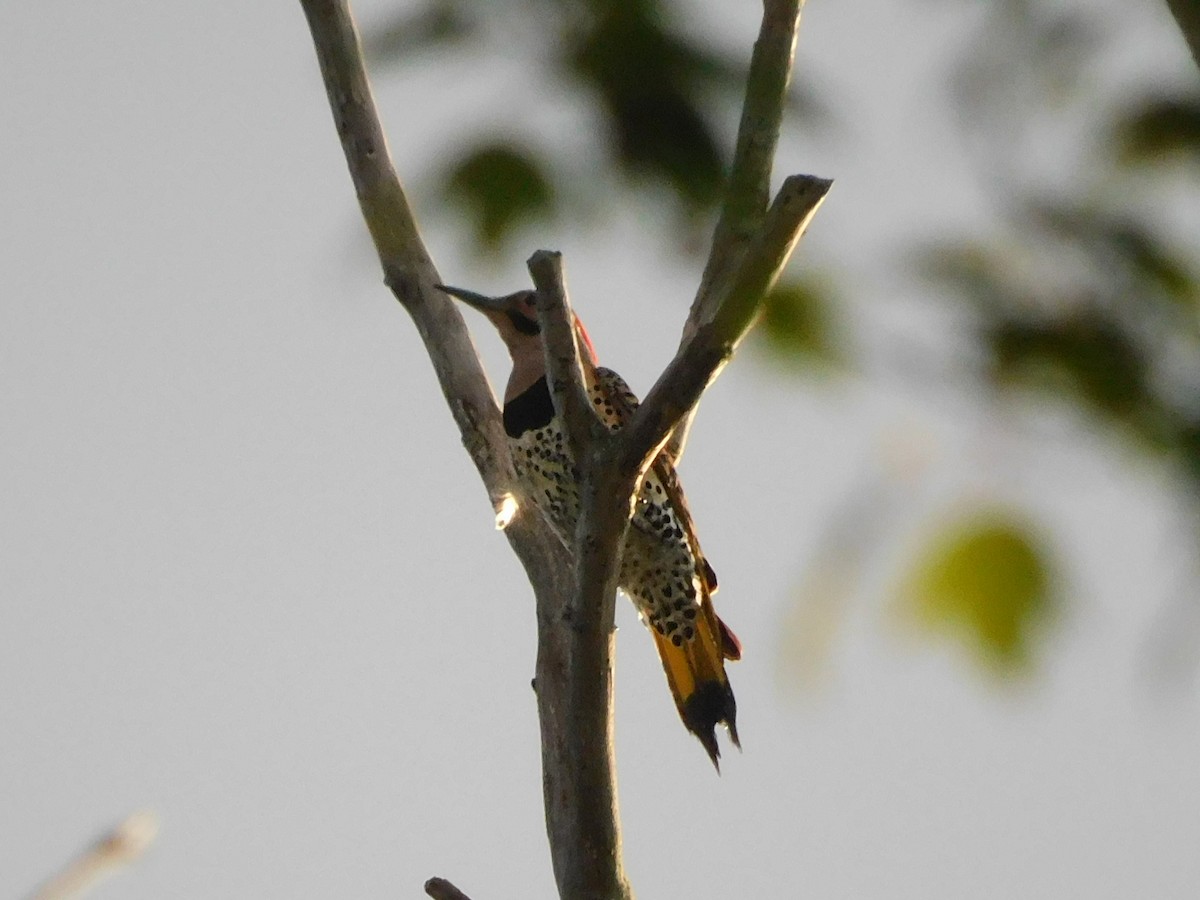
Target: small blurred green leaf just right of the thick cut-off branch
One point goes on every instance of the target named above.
(799, 321)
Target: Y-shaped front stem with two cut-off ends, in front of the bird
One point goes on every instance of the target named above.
(581, 791)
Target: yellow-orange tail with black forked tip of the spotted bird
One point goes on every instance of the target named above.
(695, 671)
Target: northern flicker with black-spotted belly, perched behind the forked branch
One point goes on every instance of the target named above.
(663, 569)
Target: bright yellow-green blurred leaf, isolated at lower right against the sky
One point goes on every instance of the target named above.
(987, 581)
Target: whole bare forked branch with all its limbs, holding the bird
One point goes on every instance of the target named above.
(575, 603)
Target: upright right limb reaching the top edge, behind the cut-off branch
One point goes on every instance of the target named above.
(749, 185)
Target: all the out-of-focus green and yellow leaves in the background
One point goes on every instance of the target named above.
(1084, 291)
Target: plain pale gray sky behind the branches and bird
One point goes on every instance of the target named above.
(249, 579)
